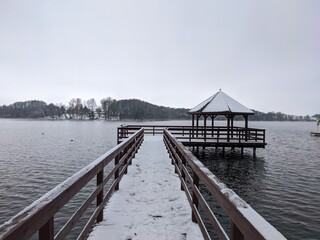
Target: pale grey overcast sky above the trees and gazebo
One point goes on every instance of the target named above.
(177, 53)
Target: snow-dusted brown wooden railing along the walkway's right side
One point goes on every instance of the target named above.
(246, 223)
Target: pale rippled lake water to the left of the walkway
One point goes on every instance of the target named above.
(36, 156)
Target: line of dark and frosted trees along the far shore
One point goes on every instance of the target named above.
(112, 109)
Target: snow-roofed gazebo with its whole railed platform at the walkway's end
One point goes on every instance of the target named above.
(208, 135)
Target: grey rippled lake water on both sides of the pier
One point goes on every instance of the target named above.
(282, 183)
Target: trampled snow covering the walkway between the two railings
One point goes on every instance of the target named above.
(149, 204)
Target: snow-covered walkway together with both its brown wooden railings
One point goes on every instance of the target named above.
(171, 202)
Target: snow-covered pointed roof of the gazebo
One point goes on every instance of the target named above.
(220, 104)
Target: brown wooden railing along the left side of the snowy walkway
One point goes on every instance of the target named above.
(39, 216)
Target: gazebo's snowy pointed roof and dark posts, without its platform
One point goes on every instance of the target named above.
(220, 104)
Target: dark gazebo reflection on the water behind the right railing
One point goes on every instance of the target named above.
(243, 174)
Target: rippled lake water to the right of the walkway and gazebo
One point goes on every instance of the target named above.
(282, 183)
